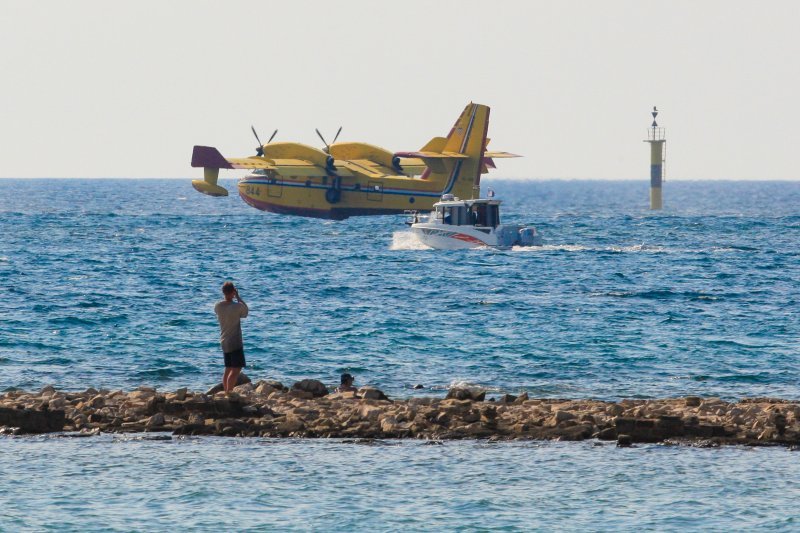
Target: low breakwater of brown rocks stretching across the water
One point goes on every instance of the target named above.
(307, 409)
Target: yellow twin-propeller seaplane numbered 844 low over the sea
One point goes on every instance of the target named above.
(354, 178)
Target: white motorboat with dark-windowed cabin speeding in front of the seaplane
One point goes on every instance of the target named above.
(456, 224)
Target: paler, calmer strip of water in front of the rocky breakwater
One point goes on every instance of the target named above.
(217, 483)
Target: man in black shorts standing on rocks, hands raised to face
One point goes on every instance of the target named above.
(229, 313)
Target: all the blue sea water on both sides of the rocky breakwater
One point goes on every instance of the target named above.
(111, 283)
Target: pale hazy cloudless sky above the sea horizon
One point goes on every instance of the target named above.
(95, 89)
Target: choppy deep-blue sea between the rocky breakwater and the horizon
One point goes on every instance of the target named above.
(111, 283)
